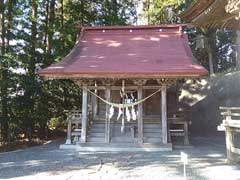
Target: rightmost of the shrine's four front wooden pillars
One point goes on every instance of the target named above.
(164, 115)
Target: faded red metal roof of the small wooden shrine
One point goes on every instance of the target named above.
(129, 51)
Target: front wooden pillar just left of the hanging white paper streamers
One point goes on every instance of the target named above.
(107, 126)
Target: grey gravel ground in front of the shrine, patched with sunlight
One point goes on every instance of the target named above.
(207, 161)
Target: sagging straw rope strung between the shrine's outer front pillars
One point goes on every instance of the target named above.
(123, 105)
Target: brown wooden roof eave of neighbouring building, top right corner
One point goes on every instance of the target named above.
(212, 14)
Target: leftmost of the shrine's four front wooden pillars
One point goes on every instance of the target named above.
(84, 114)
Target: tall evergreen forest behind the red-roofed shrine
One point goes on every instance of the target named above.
(37, 33)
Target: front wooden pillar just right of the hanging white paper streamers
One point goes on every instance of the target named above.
(140, 114)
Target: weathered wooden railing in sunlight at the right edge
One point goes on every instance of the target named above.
(231, 126)
